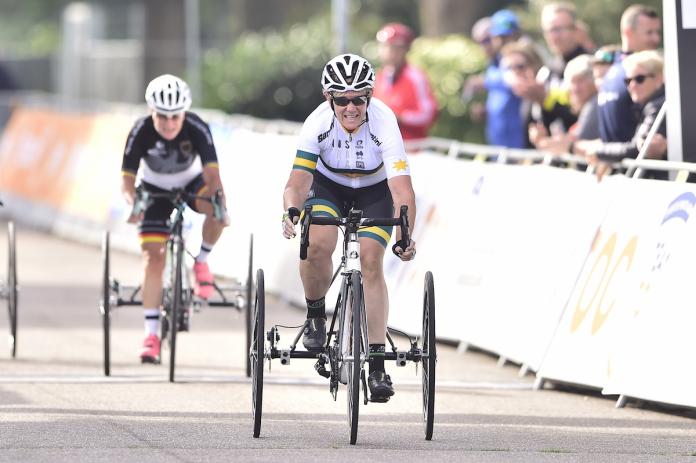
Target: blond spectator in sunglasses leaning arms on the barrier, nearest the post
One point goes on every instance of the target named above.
(645, 84)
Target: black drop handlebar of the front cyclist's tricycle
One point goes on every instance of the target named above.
(354, 218)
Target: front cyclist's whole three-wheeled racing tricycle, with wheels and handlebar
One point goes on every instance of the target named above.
(347, 347)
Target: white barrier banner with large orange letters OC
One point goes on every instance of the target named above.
(612, 285)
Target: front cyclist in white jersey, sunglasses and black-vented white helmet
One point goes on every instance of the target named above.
(350, 154)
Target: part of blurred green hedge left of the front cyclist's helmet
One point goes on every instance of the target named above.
(273, 75)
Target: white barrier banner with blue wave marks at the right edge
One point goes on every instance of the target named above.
(654, 357)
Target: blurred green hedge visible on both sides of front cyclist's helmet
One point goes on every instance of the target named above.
(276, 75)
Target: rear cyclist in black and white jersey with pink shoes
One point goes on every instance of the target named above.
(177, 151)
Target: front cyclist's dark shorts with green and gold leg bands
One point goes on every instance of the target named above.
(329, 199)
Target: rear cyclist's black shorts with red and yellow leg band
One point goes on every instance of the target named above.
(155, 225)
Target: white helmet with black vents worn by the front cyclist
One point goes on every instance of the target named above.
(347, 73)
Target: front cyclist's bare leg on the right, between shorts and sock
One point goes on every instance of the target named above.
(375, 287)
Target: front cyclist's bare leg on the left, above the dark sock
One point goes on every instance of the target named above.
(316, 270)
